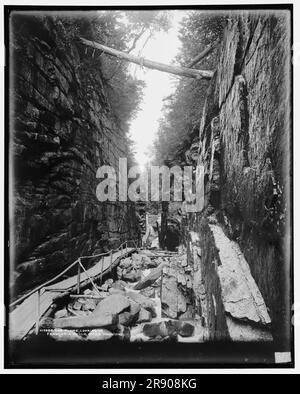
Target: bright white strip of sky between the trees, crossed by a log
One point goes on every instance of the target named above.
(163, 47)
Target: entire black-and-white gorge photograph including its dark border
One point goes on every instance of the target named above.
(149, 186)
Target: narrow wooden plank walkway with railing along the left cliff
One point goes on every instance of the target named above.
(23, 318)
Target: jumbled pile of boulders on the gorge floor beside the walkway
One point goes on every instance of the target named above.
(129, 305)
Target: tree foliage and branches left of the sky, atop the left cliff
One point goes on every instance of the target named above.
(121, 30)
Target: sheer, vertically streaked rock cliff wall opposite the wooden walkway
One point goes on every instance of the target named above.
(244, 149)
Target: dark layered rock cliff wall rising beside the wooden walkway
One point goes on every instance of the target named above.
(62, 129)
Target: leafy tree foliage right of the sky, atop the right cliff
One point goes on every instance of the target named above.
(182, 111)
